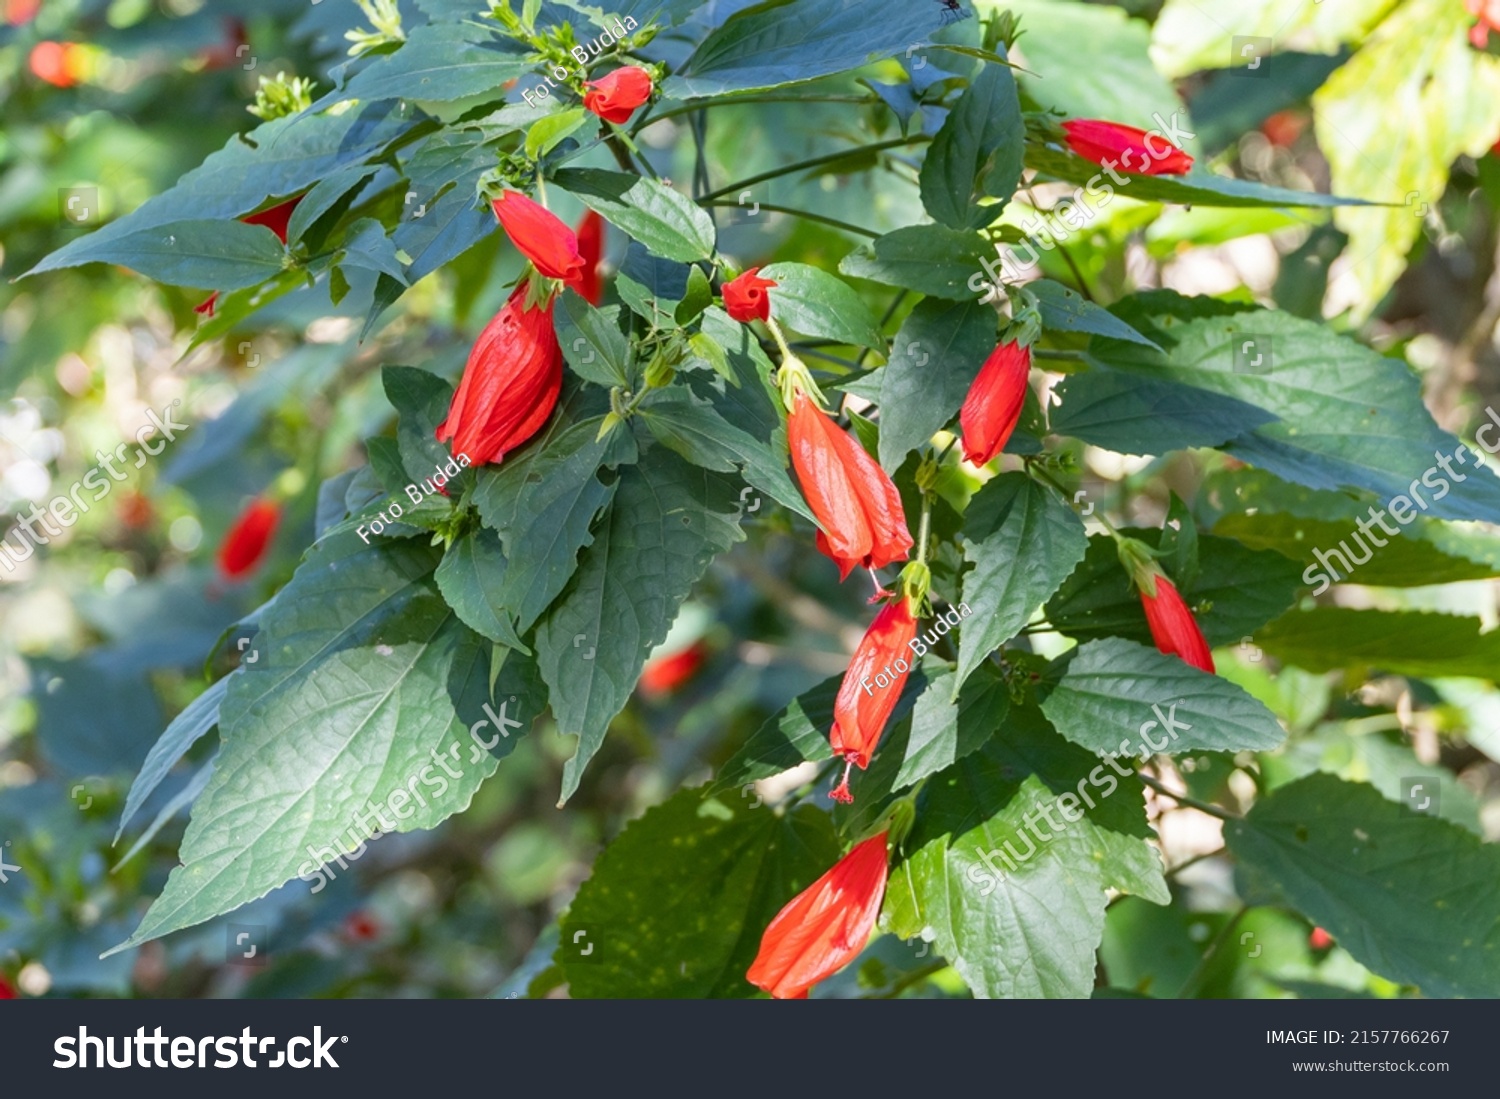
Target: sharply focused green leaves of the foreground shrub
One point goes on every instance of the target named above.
(547, 582)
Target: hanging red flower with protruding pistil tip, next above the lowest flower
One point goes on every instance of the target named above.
(871, 689)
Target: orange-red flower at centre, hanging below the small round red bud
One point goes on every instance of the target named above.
(851, 496)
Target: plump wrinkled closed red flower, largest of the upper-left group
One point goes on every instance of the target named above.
(511, 383)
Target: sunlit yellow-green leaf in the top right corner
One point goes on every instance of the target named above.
(1450, 106)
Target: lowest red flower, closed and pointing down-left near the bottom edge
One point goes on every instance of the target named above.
(824, 927)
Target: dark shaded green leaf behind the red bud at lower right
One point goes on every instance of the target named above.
(1237, 591)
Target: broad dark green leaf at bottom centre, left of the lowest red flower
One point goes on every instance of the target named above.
(647, 926)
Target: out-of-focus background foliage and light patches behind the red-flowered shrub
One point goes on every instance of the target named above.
(106, 633)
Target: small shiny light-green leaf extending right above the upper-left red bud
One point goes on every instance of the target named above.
(665, 221)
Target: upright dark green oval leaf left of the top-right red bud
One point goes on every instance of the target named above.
(982, 137)
